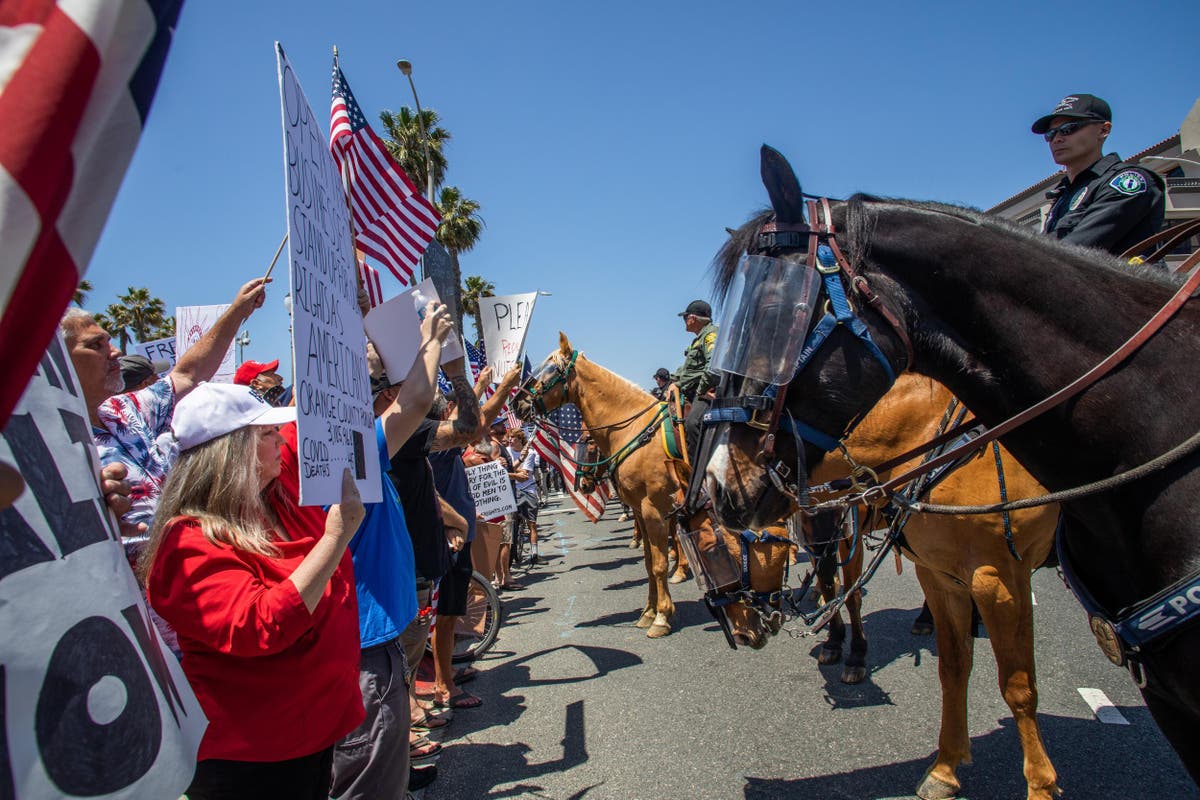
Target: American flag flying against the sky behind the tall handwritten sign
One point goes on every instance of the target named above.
(395, 224)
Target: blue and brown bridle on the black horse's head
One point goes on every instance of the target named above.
(767, 412)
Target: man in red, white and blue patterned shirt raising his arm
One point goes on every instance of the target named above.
(127, 426)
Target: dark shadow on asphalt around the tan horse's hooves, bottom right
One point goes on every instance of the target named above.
(997, 772)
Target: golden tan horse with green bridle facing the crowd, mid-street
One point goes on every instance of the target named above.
(625, 423)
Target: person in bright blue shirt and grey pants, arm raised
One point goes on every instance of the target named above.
(374, 761)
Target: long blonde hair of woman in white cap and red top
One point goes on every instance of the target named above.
(217, 484)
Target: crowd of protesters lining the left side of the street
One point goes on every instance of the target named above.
(303, 630)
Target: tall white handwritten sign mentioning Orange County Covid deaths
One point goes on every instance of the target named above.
(335, 422)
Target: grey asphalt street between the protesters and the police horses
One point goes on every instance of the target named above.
(578, 703)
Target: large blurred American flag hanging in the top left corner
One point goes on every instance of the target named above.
(76, 85)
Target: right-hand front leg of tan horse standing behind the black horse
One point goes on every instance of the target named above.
(1007, 609)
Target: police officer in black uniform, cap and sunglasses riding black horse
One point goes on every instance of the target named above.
(1101, 202)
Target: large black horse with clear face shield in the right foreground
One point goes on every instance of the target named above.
(1004, 318)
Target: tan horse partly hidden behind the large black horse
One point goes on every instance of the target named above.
(959, 561)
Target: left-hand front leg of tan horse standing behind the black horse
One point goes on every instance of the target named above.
(956, 646)
